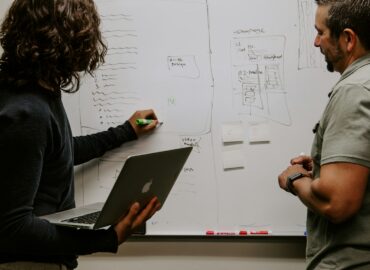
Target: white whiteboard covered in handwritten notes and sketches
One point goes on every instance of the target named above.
(239, 80)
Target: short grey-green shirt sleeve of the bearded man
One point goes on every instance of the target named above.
(347, 133)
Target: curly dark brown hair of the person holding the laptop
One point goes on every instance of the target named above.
(49, 42)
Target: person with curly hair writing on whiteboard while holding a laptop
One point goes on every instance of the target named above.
(48, 45)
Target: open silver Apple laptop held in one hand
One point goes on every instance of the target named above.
(142, 177)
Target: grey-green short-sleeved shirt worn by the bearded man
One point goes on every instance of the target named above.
(343, 135)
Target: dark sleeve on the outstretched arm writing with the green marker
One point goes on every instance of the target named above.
(92, 146)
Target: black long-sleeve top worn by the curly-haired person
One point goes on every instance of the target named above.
(37, 158)
